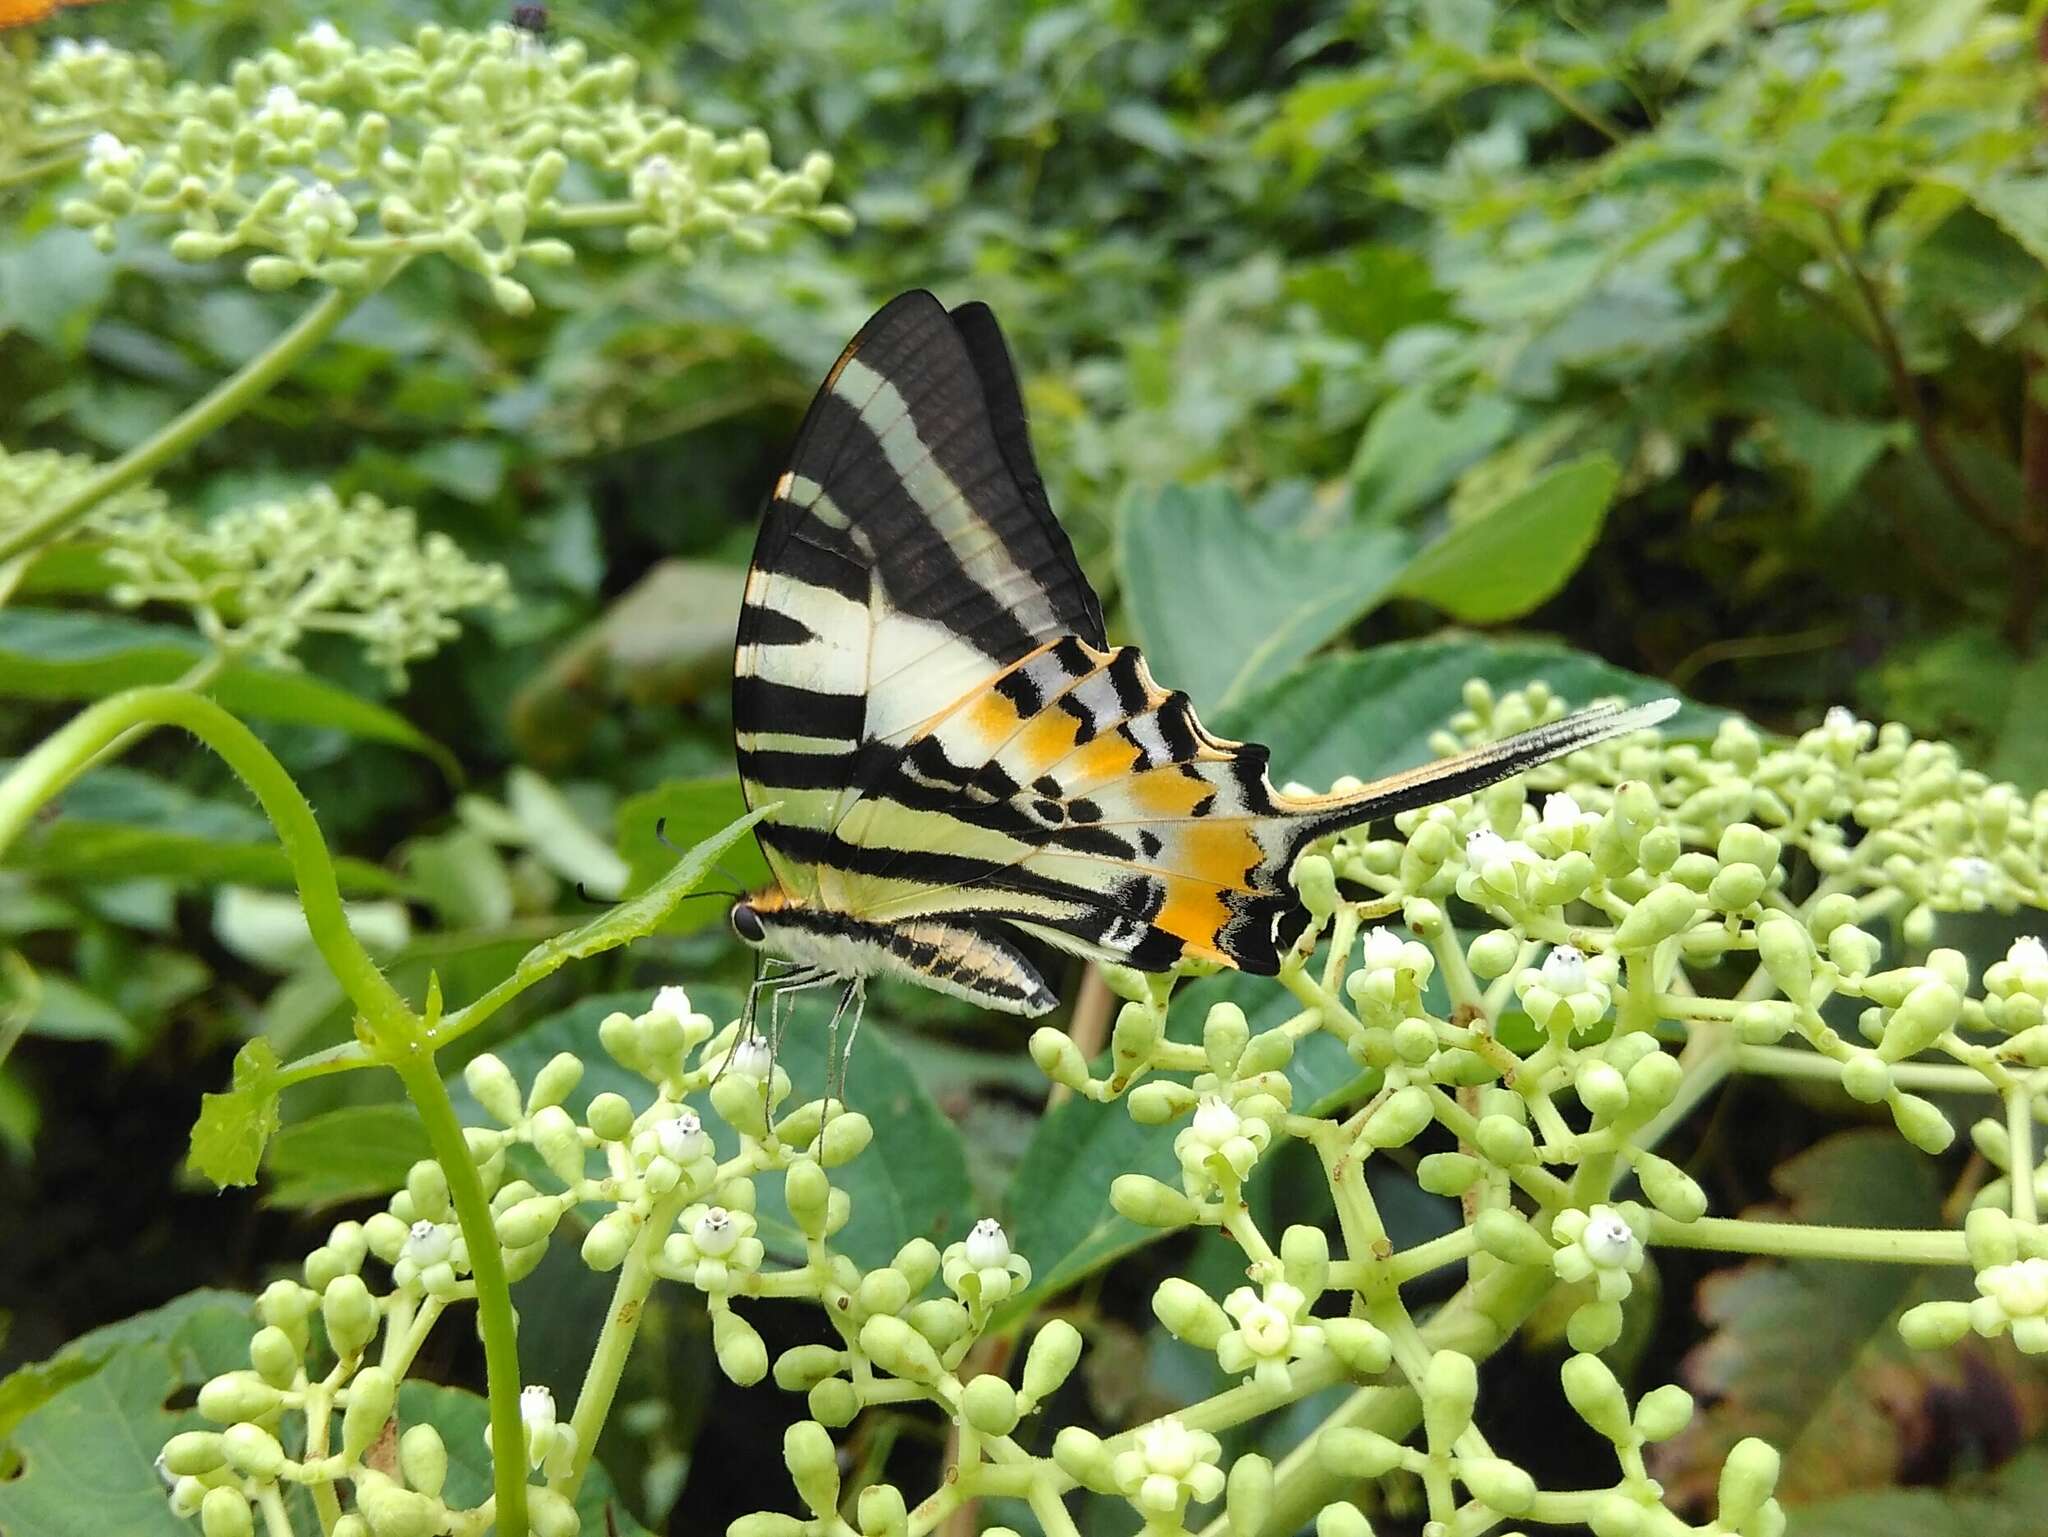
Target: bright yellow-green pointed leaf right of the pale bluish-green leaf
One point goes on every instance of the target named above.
(1510, 560)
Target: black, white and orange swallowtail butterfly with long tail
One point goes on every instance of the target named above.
(955, 755)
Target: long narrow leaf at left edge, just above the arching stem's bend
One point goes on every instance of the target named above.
(62, 655)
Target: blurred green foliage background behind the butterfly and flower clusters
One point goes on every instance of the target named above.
(1701, 337)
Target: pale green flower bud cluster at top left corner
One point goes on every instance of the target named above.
(335, 163)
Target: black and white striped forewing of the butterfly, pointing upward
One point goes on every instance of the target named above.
(908, 554)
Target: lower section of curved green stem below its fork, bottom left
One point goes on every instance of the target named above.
(488, 1270)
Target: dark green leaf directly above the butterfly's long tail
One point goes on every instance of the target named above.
(1373, 712)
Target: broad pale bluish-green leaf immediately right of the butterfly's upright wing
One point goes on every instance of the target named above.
(1224, 606)
